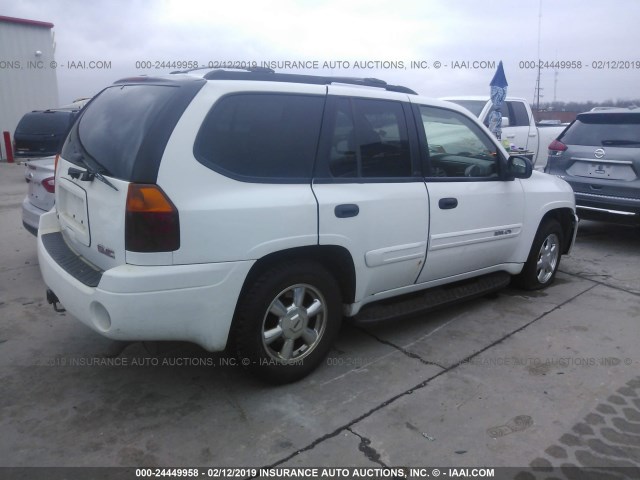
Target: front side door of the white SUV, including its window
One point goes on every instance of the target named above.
(476, 217)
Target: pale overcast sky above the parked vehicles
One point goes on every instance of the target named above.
(588, 48)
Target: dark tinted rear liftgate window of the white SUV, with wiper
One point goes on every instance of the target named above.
(124, 130)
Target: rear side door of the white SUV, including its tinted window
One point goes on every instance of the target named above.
(371, 196)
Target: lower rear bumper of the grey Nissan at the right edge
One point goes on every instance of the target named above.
(608, 208)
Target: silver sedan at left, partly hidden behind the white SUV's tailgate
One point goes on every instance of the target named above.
(40, 198)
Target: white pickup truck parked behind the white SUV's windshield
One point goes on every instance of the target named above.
(518, 125)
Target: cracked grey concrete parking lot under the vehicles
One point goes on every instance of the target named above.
(516, 380)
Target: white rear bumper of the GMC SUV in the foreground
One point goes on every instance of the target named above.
(193, 303)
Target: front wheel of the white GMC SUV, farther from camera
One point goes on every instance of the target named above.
(544, 258)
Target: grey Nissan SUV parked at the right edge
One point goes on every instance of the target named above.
(599, 155)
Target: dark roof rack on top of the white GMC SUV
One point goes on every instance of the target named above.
(269, 75)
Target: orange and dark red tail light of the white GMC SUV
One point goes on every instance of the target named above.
(151, 223)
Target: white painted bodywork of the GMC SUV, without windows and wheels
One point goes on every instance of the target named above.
(399, 242)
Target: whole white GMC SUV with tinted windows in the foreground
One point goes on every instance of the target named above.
(254, 210)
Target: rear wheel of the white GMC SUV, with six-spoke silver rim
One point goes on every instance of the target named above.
(286, 321)
